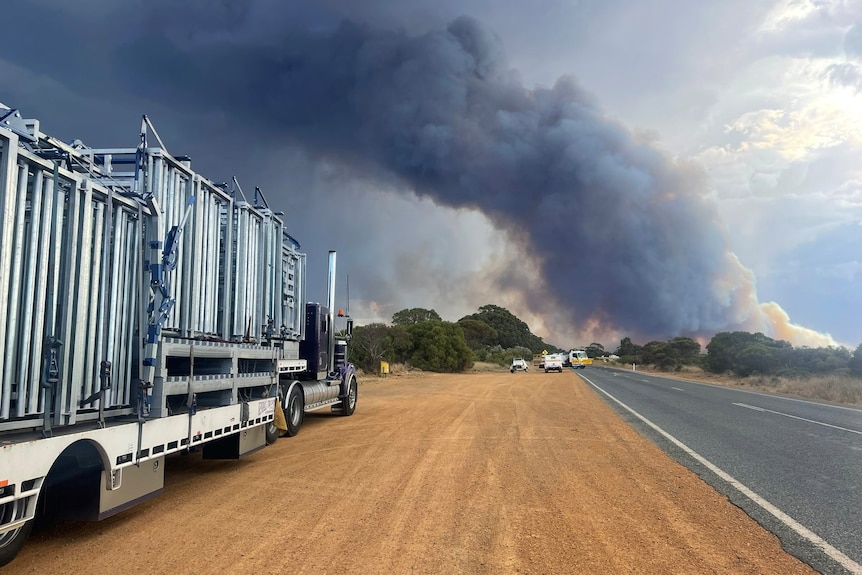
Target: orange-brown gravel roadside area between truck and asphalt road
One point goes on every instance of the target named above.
(479, 473)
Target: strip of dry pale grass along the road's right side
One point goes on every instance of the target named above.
(836, 389)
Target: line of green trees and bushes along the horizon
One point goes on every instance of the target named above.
(419, 338)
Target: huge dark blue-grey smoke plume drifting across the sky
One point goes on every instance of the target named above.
(623, 236)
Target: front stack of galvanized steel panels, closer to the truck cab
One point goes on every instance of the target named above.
(231, 282)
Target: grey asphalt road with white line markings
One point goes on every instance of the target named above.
(801, 460)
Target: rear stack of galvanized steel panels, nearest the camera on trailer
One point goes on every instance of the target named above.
(68, 266)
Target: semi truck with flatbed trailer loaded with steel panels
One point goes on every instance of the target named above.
(145, 311)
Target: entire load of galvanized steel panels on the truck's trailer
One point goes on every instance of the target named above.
(74, 239)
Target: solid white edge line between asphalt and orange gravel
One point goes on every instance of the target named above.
(846, 562)
